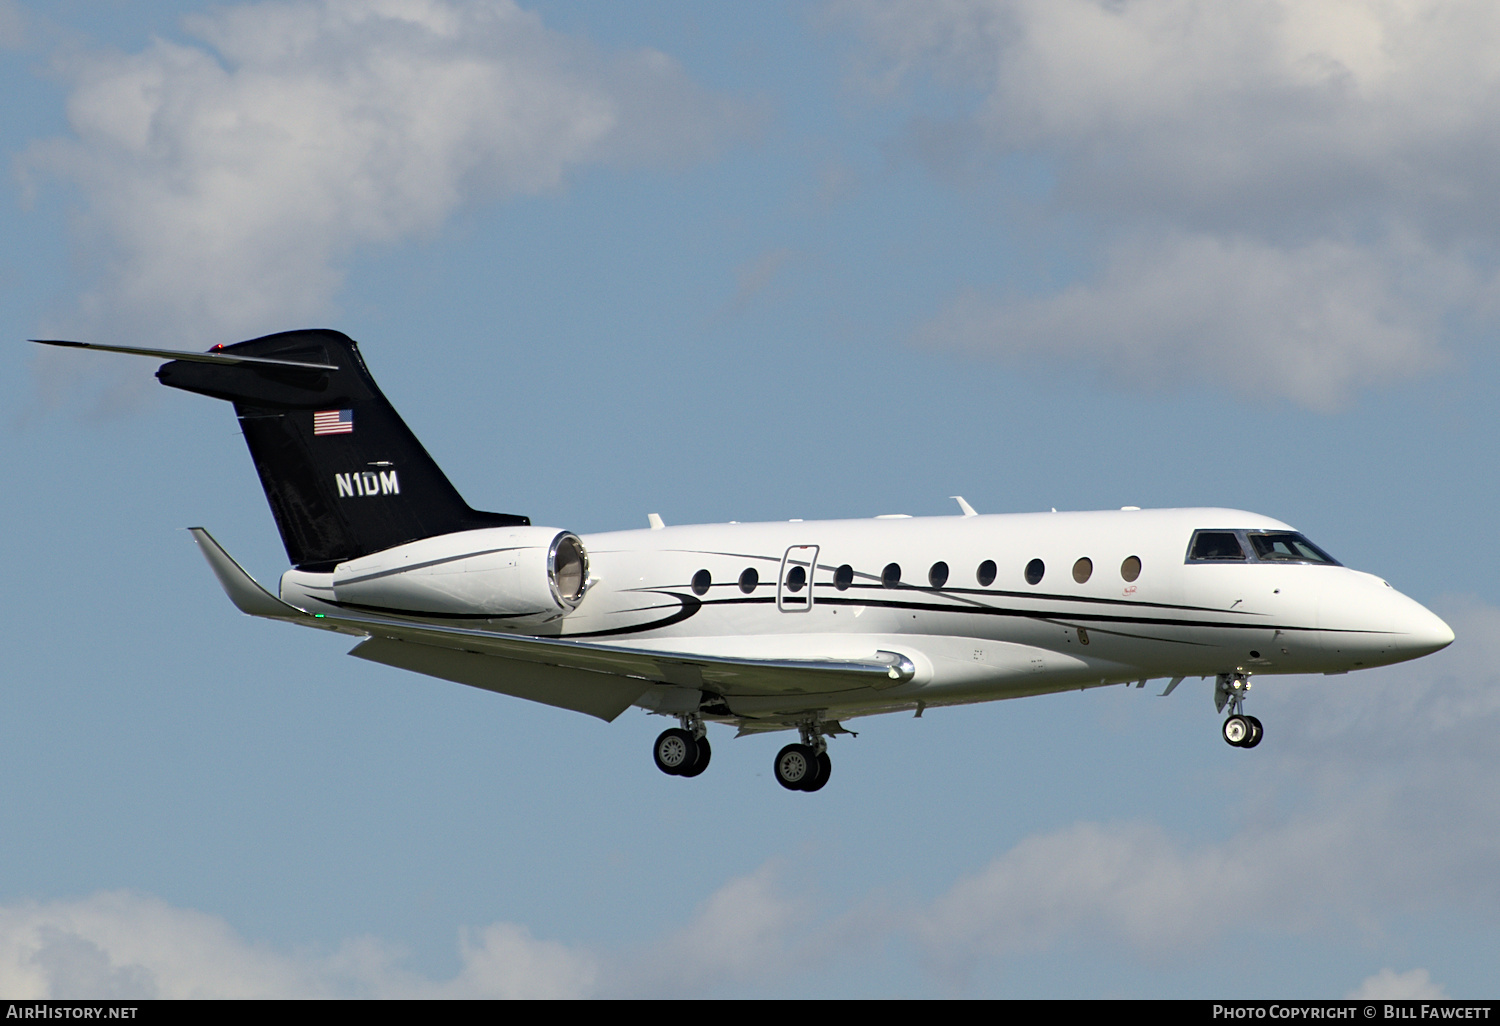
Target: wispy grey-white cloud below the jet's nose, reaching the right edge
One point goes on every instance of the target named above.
(1343, 863)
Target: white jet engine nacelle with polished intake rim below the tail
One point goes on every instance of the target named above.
(523, 572)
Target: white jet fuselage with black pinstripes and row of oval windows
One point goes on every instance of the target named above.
(1117, 599)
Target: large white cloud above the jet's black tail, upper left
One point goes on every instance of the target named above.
(224, 182)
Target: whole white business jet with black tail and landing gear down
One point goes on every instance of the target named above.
(791, 626)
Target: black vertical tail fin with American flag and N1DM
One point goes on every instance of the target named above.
(343, 473)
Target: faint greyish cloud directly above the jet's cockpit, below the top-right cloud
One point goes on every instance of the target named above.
(1312, 323)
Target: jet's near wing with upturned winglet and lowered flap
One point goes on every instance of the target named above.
(587, 677)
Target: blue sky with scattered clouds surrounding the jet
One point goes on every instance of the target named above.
(745, 263)
